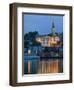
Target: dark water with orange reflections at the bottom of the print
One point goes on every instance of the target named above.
(36, 66)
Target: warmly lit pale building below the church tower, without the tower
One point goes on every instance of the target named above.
(49, 41)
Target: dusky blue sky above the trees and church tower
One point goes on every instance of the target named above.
(42, 23)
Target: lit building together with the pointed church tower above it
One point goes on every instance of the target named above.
(49, 40)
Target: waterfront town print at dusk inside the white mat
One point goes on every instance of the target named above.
(43, 44)
